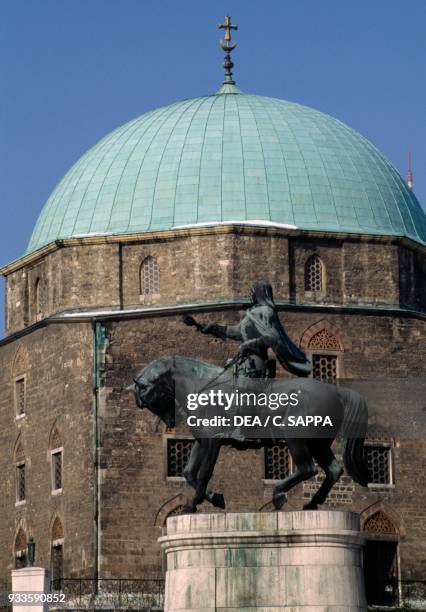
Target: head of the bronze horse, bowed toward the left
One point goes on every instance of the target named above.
(153, 389)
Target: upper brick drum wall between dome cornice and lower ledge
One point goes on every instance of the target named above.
(217, 266)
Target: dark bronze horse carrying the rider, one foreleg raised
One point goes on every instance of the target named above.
(153, 388)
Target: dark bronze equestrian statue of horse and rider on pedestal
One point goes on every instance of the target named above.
(259, 330)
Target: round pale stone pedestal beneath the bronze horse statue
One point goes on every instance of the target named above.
(308, 561)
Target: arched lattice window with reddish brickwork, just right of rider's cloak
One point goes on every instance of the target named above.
(325, 348)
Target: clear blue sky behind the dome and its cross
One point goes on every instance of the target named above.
(72, 70)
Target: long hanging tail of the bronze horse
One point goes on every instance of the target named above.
(354, 426)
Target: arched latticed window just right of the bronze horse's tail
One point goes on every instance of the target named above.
(378, 449)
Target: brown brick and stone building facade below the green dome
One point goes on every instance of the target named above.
(93, 479)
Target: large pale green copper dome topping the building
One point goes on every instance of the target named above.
(231, 157)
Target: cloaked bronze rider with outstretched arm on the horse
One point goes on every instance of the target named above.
(259, 330)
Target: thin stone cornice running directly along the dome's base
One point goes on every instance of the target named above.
(203, 230)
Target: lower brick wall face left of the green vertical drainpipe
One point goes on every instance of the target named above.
(57, 364)
